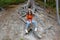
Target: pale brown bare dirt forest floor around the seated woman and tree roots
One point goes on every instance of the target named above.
(12, 28)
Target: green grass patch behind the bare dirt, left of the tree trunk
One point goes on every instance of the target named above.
(4, 3)
